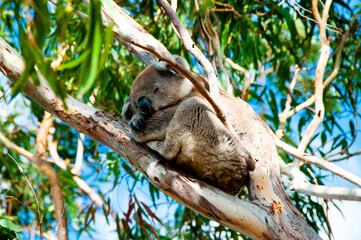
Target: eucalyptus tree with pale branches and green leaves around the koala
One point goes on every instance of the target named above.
(295, 63)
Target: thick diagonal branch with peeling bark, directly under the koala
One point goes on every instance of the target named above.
(253, 219)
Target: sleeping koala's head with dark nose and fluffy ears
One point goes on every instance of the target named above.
(158, 86)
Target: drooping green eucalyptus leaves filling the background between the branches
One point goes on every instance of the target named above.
(81, 58)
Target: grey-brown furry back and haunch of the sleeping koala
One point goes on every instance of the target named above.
(208, 151)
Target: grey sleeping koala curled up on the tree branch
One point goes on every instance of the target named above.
(167, 113)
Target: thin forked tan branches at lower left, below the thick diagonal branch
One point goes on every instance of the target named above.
(40, 161)
